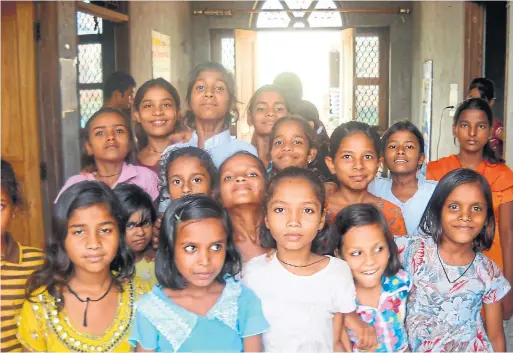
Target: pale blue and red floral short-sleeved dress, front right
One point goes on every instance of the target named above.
(443, 316)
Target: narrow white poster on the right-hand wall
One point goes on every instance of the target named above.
(427, 96)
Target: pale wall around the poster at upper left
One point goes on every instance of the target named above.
(172, 18)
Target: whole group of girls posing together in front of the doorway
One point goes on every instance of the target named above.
(252, 248)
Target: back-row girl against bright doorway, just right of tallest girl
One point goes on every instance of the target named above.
(265, 107)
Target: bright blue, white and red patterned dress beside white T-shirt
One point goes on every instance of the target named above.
(388, 317)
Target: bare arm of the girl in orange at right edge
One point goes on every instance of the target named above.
(506, 238)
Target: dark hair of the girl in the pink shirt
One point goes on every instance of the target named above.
(87, 161)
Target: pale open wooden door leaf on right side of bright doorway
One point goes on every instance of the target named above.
(347, 67)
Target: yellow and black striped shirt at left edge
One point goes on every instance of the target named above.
(14, 276)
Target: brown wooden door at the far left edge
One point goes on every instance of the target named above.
(20, 133)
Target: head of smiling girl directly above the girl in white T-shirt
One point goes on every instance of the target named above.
(292, 144)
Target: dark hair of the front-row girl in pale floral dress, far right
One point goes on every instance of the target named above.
(431, 222)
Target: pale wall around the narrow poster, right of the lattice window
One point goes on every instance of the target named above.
(438, 35)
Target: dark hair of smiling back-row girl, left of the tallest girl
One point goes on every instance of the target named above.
(142, 138)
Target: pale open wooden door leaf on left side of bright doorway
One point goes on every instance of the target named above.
(245, 77)
